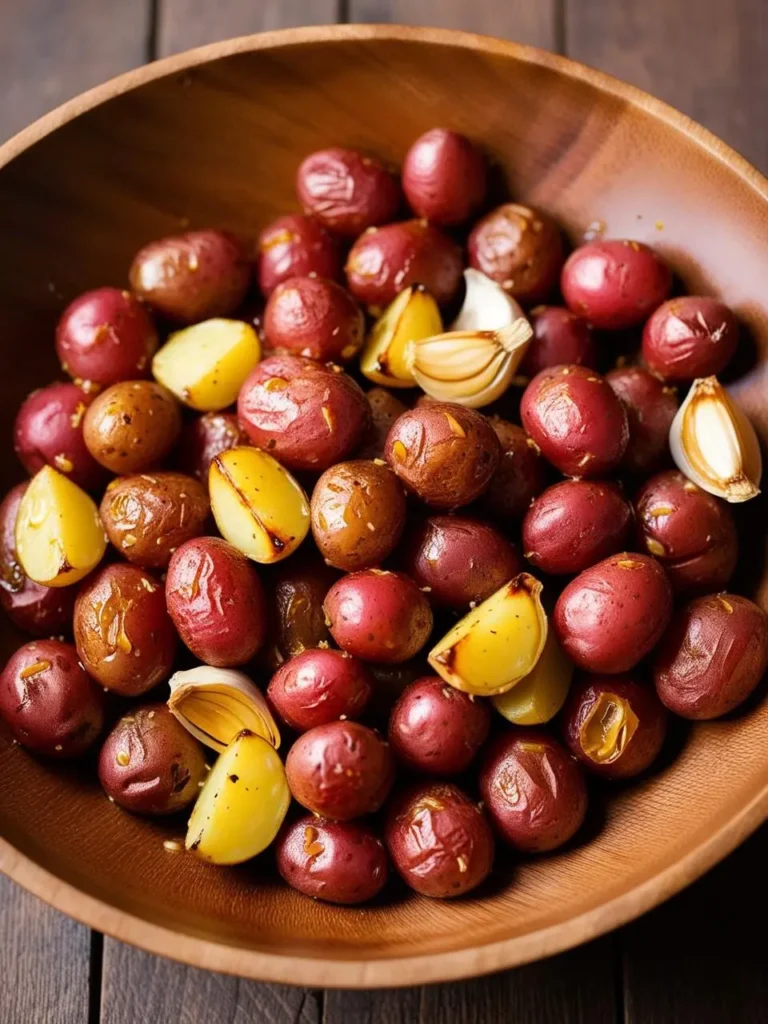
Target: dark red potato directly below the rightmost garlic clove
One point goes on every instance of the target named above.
(693, 534)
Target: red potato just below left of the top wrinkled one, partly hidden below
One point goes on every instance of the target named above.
(296, 246)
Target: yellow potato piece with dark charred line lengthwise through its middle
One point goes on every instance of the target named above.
(259, 506)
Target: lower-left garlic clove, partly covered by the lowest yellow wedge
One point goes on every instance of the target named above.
(217, 705)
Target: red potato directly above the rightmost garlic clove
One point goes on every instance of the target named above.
(689, 337)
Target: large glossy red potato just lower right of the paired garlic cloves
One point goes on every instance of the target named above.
(576, 419)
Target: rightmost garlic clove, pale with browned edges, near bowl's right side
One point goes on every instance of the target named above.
(714, 444)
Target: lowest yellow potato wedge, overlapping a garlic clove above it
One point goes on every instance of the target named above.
(242, 805)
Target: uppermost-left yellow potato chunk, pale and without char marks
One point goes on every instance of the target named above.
(206, 365)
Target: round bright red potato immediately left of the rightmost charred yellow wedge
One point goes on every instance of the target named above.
(378, 616)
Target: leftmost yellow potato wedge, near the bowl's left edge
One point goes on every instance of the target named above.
(59, 535)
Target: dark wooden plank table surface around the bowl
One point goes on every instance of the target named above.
(702, 958)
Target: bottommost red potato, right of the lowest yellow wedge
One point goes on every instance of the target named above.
(336, 862)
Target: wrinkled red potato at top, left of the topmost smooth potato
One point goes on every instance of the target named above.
(347, 192)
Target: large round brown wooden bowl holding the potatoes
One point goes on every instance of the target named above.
(215, 138)
